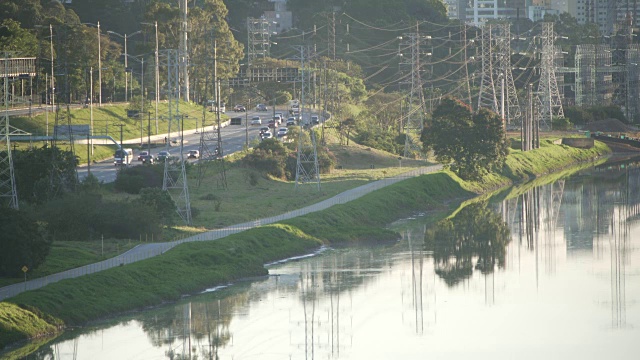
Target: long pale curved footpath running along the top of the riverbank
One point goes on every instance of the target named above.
(145, 251)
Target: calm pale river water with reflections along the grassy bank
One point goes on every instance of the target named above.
(547, 272)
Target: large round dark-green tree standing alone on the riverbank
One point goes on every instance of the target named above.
(470, 144)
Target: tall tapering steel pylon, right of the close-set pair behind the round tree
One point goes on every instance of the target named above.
(549, 101)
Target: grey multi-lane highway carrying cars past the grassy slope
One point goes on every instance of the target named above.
(233, 139)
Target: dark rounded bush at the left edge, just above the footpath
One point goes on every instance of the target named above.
(24, 242)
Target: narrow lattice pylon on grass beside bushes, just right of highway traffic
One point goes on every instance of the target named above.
(307, 169)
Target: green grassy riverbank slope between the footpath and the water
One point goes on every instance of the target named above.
(193, 266)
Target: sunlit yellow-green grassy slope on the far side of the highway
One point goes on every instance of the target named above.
(104, 120)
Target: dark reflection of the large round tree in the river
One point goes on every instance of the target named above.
(475, 238)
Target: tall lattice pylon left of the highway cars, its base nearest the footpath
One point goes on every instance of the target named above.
(175, 176)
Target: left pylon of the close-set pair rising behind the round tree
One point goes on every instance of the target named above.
(487, 95)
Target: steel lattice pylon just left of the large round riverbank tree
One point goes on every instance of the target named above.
(415, 109)
